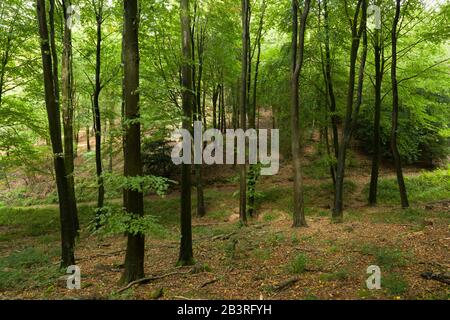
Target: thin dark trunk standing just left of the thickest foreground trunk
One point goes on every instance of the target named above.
(96, 108)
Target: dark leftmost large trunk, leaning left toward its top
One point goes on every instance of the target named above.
(66, 209)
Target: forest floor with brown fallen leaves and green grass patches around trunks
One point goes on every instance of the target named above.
(266, 260)
